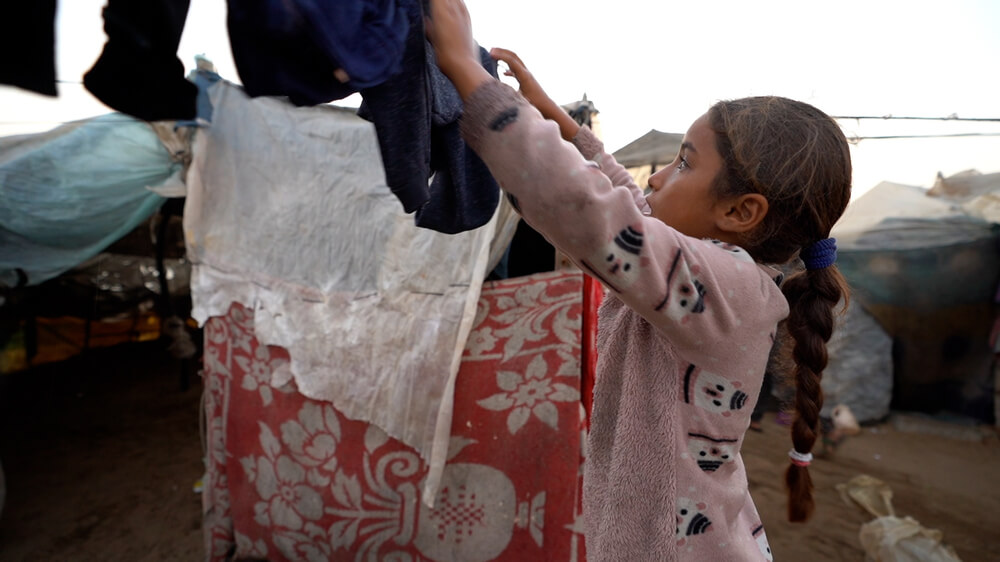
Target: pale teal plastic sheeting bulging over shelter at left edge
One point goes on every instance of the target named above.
(67, 194)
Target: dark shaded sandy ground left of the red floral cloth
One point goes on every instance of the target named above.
(100, 453)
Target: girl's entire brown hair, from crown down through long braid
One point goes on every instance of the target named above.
(798, 158)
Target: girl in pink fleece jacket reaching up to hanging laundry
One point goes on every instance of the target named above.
(691, 308)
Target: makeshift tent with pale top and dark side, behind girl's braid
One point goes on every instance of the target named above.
(926, 266)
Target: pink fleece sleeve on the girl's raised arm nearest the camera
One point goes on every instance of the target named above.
(696, 293)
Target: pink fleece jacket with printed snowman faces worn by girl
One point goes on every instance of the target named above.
(683, 340)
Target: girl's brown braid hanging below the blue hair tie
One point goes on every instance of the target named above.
(811, 295)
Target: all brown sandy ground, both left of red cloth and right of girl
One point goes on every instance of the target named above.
(101, 453)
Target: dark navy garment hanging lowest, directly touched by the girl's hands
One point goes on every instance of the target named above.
(416, 114)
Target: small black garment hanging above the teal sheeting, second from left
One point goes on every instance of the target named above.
(138, 72)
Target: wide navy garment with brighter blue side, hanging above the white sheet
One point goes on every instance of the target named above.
(317, 51)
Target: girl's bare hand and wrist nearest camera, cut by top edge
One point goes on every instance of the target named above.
(449, 29)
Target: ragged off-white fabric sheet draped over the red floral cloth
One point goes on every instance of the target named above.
(288, 213)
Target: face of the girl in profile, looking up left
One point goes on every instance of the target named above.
(682, 192)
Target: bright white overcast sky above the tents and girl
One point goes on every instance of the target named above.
(651, 64)
